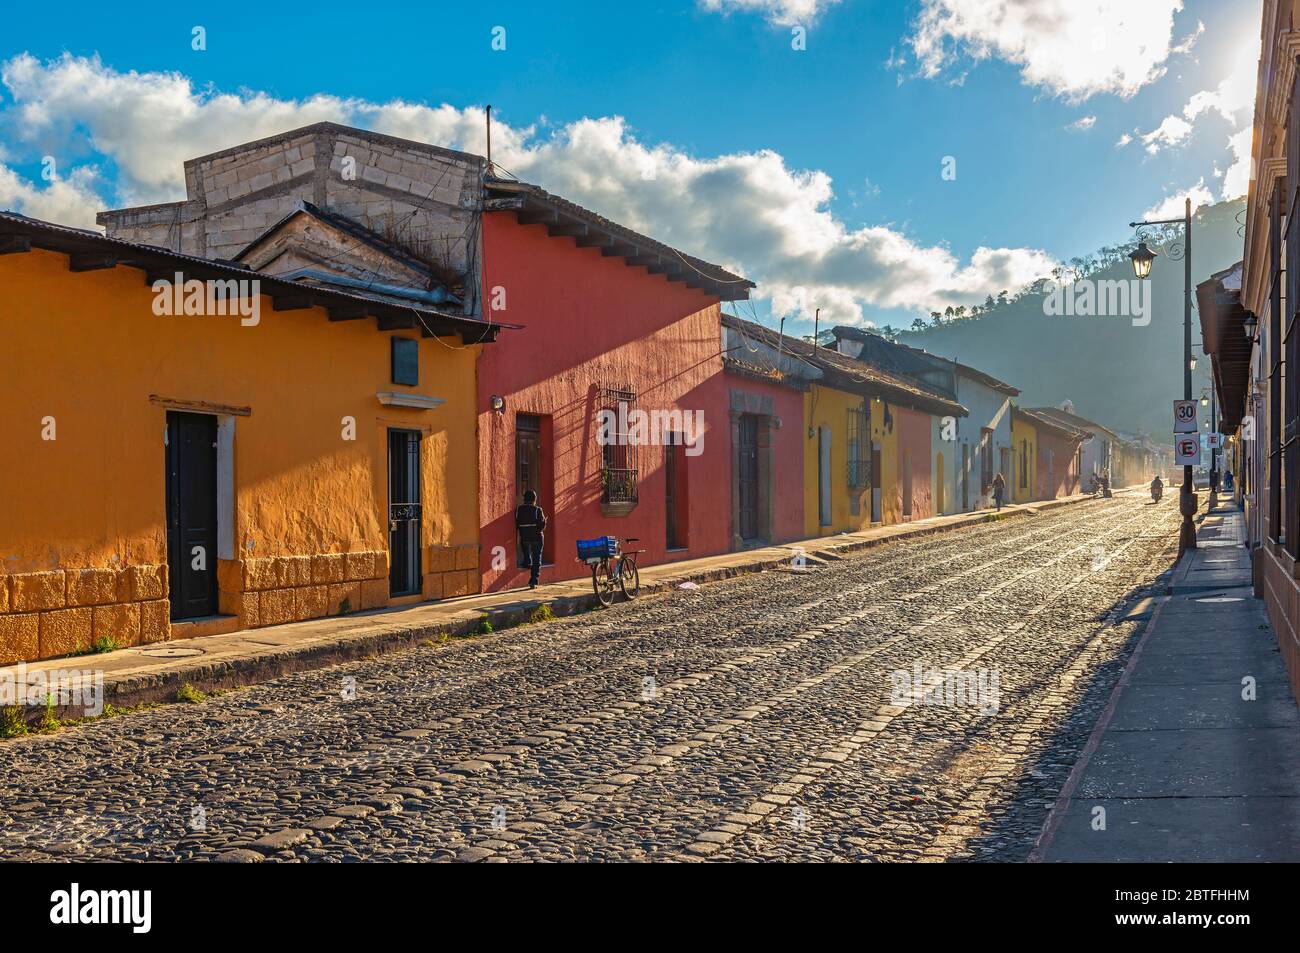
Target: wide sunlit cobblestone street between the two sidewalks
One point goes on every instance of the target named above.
(749, 720)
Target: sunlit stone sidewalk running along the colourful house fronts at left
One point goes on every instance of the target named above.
(154, 674)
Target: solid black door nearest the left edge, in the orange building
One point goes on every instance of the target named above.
(192, 514)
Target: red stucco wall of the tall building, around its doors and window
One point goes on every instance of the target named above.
(592, 320)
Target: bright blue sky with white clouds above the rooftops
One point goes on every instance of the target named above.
(846, 138)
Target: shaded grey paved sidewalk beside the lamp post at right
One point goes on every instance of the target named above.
(1182, 765)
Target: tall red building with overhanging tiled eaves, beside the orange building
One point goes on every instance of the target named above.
(612, 404)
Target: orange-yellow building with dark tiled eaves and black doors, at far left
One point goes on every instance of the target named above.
(192, 448)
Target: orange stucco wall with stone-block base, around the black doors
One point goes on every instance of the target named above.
(86, 350)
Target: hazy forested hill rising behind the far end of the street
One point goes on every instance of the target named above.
(1116, 374)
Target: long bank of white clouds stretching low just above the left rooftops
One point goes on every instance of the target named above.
(747, 211)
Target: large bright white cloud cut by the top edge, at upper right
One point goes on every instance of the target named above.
(1072, 49)
